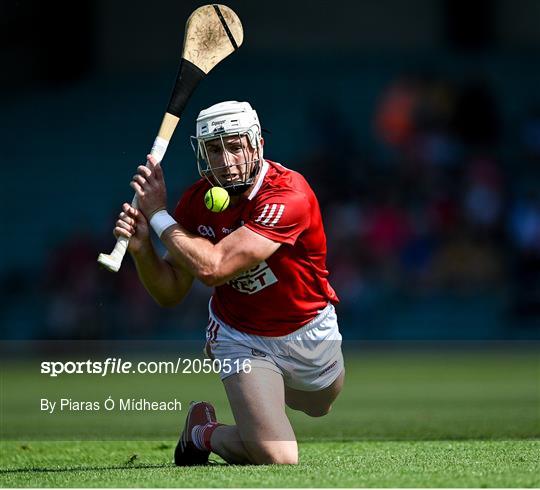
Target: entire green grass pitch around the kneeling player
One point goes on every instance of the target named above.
(403, 420)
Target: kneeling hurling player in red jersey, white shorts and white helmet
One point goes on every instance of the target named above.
(272, 322)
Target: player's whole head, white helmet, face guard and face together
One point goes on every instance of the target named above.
(224, 124)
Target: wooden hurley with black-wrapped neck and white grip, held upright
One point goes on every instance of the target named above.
(213, 32)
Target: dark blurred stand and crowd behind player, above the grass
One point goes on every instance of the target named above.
(417, 124)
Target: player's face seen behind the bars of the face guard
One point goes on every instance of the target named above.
(231, 159)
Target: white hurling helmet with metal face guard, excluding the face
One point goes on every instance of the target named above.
(230, 118)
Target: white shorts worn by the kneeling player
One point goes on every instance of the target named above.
(309, 359)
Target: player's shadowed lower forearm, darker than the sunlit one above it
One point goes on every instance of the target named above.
(159, 278)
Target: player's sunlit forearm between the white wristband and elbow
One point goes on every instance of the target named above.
(198, 255)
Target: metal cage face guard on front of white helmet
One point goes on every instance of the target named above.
(232, 173)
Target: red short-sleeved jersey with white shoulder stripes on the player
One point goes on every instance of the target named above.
(289, 288)
